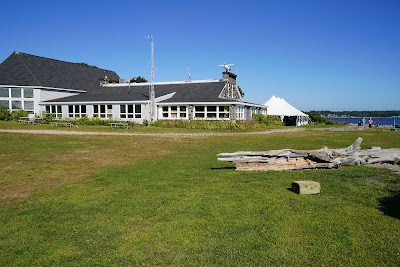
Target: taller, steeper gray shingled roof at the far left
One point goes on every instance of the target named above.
(29, 70)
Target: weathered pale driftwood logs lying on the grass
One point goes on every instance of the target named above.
(325, 158)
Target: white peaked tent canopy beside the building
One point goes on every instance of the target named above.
(279, 107)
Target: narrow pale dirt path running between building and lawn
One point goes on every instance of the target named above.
(63, 132)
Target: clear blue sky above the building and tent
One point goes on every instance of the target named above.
(317, 54)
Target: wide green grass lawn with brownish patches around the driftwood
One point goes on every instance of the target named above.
(167, 201)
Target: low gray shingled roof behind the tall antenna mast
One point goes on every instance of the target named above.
(184, 92)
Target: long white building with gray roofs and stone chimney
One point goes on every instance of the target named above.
(72, 90)
